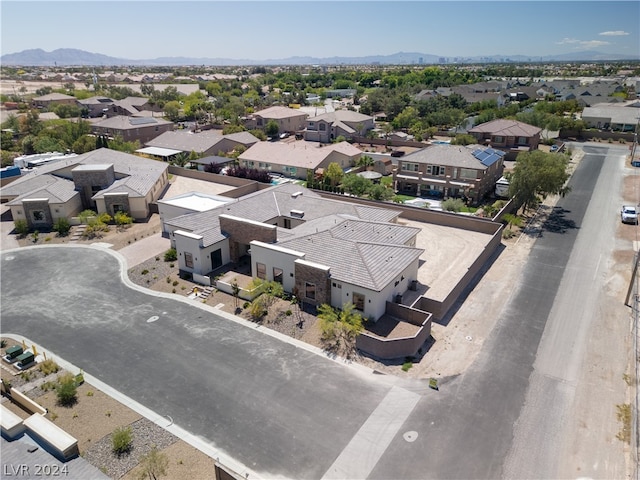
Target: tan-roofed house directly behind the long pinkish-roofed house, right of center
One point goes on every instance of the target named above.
(327, 127)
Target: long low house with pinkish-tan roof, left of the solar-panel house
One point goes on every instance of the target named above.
(295, 159)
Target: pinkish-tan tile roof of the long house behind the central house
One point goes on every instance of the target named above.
(301, 154)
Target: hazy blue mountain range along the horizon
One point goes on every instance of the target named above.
(70, 56)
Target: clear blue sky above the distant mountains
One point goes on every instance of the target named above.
(261, 30)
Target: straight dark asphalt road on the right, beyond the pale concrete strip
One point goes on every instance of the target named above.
(468, 430)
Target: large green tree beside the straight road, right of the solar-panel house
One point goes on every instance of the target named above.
(536, 175)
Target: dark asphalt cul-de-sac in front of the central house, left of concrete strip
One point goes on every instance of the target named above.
(276, 408)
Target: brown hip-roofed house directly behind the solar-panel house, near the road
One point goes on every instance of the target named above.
(510, 136)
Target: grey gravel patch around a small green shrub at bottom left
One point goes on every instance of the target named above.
(145, 435)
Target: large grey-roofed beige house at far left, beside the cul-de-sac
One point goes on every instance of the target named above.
(106, 181)
